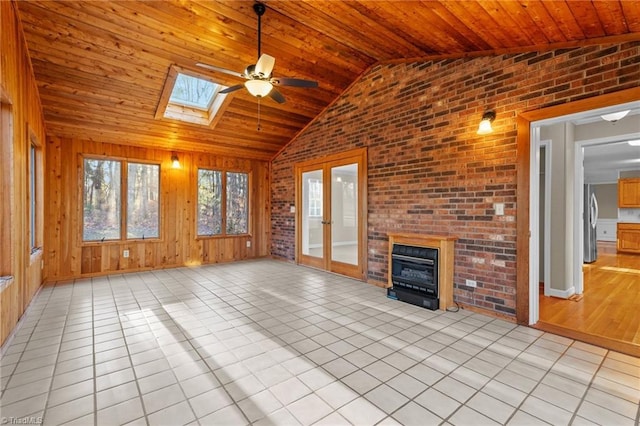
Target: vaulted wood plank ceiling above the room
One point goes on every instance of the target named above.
(101, 65)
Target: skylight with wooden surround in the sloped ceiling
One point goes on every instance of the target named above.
(190, 97)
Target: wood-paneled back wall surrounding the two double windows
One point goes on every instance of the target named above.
(66, 256)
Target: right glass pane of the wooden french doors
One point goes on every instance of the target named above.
(344, 214)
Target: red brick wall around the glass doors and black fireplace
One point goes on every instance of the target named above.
(428, 170)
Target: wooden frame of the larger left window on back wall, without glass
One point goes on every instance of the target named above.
(124, 188)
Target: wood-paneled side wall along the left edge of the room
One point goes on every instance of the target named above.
(21, 120)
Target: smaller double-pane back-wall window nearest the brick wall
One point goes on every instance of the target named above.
(223, 196)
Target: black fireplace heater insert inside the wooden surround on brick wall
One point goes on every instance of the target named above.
(414, 275)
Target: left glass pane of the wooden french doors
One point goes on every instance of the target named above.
(312, 227)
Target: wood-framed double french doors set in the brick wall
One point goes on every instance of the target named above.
(331, 213)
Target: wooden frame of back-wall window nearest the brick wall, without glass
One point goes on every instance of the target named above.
(223, 202)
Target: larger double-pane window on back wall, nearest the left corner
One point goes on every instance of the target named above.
(120, 196)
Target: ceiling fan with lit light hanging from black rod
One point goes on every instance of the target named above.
(260, 82)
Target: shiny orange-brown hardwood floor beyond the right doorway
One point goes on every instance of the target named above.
(608, 314)
